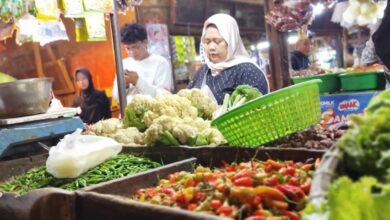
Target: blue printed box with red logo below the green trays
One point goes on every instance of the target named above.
(336, 108)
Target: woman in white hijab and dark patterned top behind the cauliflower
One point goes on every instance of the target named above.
(228, 64)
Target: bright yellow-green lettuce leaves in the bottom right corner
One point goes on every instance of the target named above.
(347, 200)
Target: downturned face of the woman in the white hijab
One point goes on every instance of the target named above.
(215, 46)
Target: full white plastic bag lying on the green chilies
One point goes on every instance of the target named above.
(76, 154)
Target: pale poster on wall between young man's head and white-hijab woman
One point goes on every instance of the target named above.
(158, 42)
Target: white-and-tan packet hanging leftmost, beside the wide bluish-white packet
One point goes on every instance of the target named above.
(26, 28)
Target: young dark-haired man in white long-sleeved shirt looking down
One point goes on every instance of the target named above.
(145, 73)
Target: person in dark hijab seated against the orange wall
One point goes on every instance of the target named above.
(94, 104)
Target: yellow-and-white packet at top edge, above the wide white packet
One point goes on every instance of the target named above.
(47, 10)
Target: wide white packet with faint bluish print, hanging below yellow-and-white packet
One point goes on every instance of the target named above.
(48, 32)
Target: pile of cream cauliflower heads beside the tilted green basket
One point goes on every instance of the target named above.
(181, 119)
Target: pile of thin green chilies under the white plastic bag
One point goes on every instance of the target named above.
(114, 168)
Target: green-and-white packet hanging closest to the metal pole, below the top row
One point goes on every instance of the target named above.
(96, 26)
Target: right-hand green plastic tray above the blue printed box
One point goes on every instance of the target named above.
(362, 81)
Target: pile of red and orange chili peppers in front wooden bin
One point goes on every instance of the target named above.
(250, 190)
